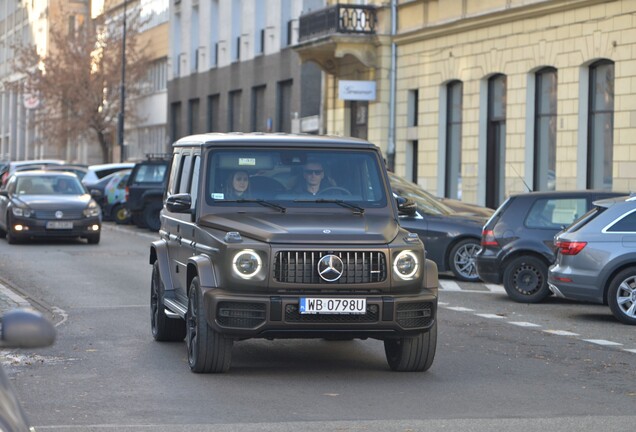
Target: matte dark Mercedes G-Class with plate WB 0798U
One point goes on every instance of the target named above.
(288, 236)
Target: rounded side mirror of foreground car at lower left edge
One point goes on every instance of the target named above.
(24, 328)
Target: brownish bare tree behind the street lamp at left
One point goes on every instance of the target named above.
(78, 80)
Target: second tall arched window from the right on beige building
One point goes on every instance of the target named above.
(545, 119)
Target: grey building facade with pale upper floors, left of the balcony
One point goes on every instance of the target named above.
(232, 68)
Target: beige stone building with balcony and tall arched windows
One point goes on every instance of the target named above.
(493, 95)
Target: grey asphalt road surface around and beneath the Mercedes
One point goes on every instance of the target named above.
(556, 366)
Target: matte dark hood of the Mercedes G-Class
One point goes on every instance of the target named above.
(317, 228)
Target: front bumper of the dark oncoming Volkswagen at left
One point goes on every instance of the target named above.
(37, 228)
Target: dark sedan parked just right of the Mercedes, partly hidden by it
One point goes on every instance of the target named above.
(452, 239)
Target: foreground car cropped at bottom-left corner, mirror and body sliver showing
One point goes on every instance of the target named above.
(21, 328)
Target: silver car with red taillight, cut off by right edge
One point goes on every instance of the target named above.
(596, 259)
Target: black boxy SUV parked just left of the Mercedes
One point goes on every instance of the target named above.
(145, 189)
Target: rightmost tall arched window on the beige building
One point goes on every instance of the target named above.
(600, 142)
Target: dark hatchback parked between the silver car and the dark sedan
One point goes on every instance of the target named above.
(517, 244)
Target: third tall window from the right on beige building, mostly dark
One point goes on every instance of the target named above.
(496, 141)
